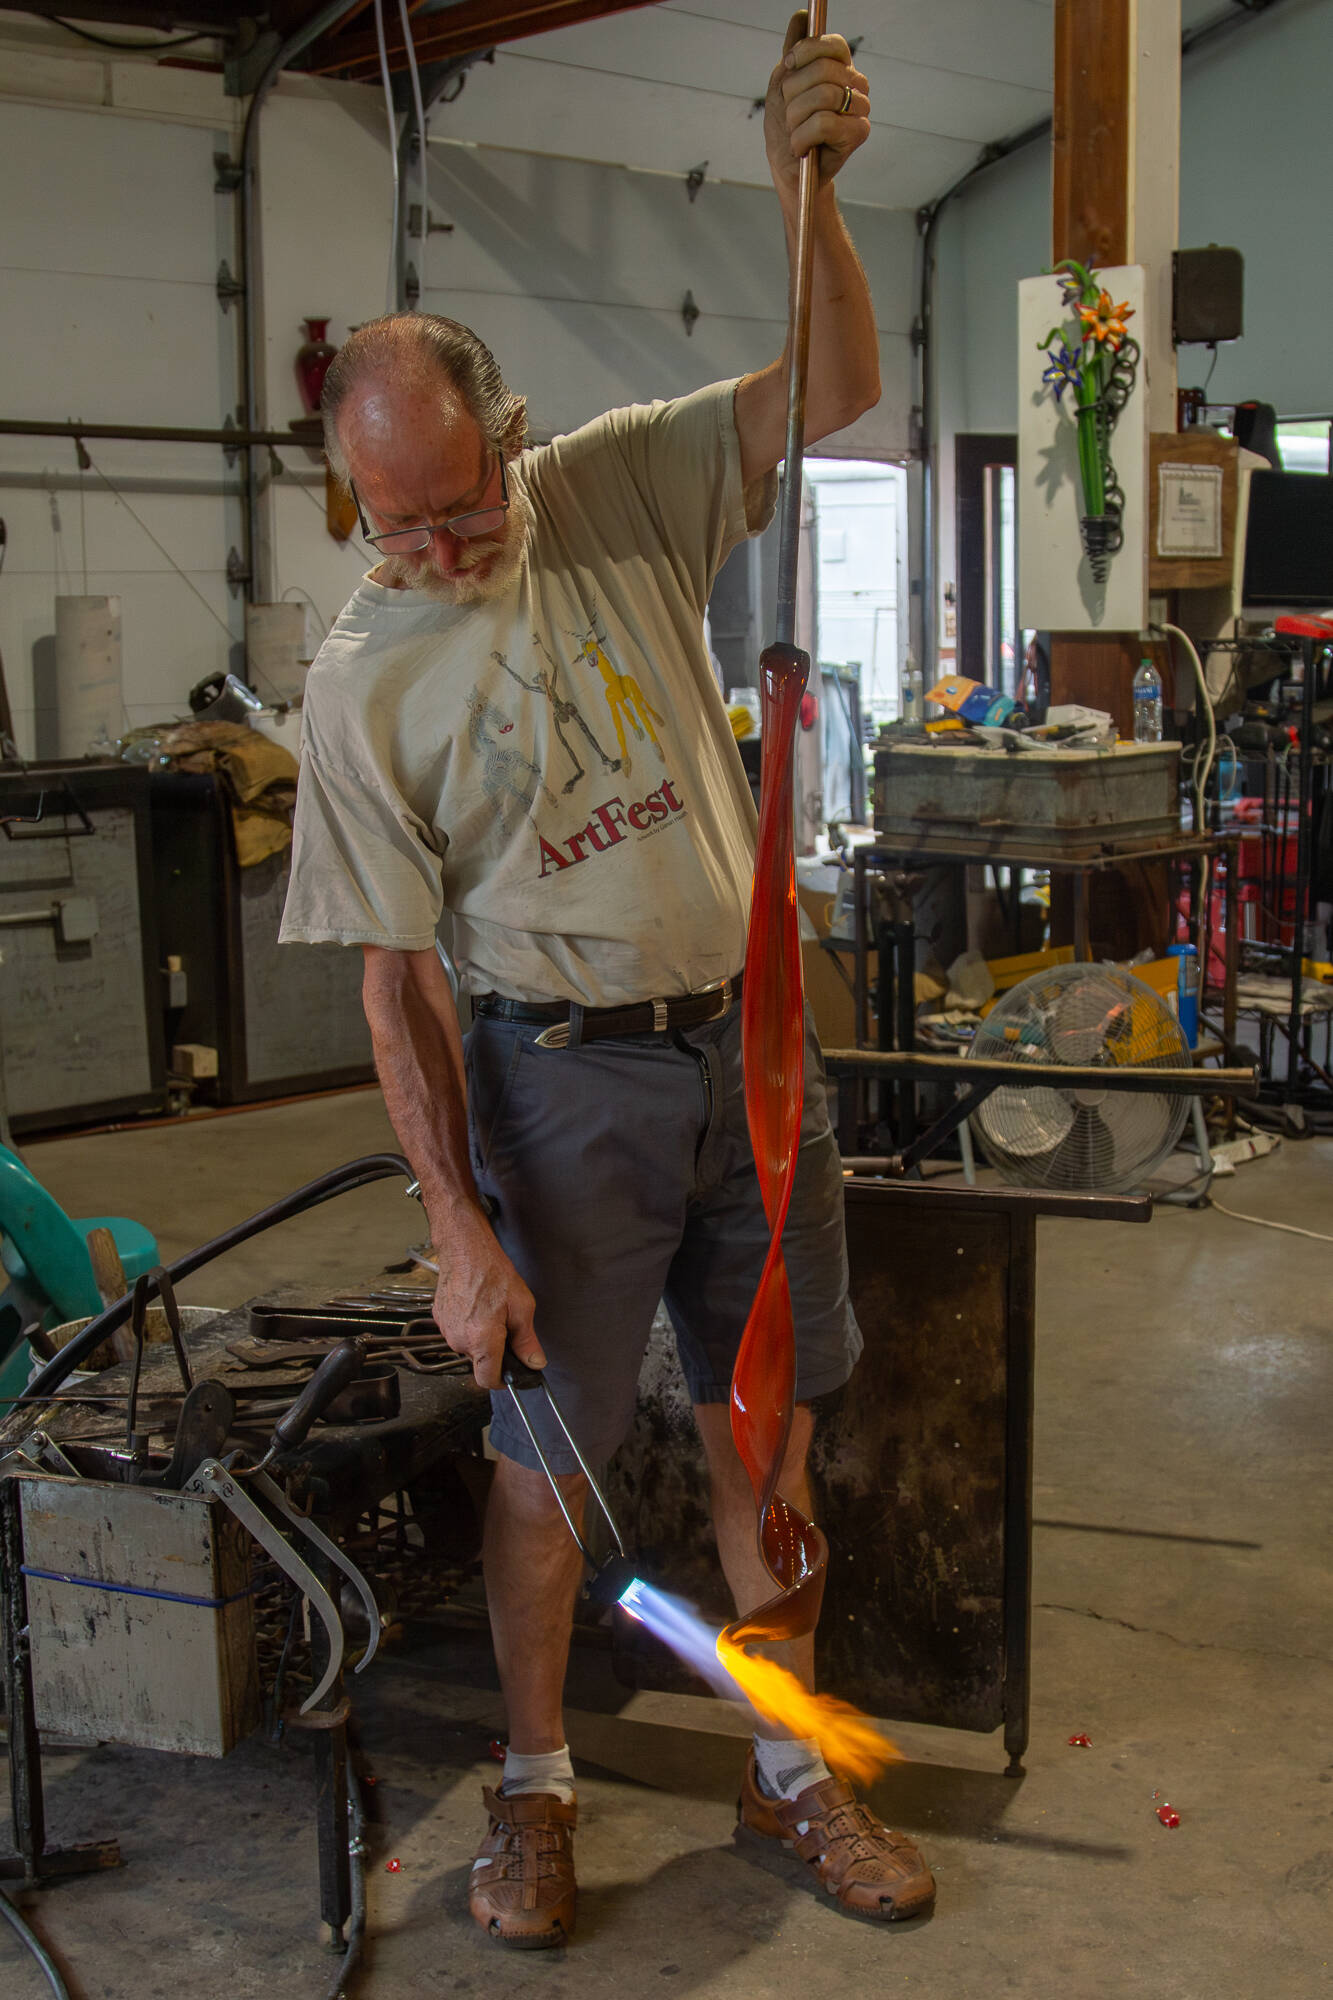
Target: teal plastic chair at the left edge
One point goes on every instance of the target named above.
(45, 1257)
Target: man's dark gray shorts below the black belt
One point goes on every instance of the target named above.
(619, 1177)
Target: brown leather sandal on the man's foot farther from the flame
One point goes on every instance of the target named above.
(523, 1881)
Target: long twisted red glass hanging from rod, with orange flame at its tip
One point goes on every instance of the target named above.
(766, 1377)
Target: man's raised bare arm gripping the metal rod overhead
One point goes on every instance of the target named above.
(804, 111)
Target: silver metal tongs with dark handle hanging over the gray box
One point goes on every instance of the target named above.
(237, 1485)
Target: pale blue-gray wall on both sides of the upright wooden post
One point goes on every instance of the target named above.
(1256, 167)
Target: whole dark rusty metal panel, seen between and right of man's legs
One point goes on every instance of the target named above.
(908, 1471)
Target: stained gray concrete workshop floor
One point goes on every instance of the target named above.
(1182, 1619)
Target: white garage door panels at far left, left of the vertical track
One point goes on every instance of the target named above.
(111, 237)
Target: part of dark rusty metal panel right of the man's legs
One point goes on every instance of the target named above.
(912, 1467)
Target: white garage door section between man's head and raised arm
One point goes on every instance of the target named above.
(577, 273)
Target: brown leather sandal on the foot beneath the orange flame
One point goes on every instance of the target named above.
(856, 1857)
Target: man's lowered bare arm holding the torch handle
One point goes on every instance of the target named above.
(419, 1057)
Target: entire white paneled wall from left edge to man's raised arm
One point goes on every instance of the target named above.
(109, 253)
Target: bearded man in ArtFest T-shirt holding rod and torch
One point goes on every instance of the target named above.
(587, 1157)
